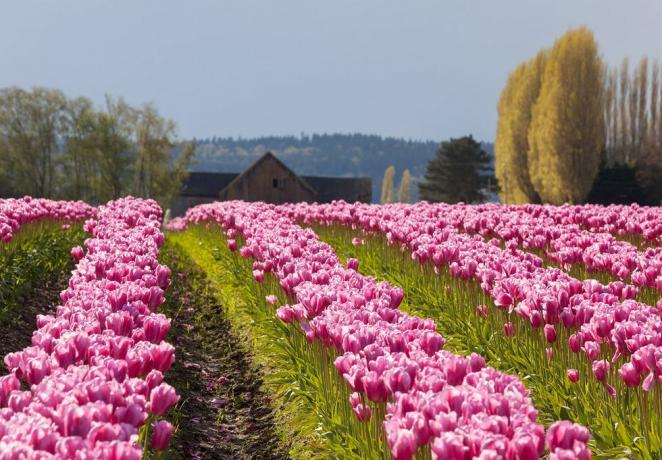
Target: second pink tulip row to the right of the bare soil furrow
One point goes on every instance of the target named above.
(605, 320)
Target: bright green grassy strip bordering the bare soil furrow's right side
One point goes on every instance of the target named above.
(310, 401)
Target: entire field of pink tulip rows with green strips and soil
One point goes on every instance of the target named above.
(400, 331)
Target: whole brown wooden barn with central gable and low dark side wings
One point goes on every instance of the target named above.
(271, 181)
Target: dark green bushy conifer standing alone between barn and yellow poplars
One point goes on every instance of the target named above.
(459, 172)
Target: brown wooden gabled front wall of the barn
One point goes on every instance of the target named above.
(268, 182)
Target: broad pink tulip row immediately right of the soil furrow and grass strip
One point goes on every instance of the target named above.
(453, 405)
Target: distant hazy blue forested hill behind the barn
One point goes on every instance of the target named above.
(343, 155)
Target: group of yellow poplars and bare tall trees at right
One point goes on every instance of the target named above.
(565, 118)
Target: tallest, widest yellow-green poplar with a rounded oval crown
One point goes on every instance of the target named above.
(566, 135)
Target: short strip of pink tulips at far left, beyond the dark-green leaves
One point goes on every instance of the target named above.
(17, 212)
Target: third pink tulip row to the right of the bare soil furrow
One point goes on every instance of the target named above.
(564, 243)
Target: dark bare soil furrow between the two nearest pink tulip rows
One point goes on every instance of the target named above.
(222, 413)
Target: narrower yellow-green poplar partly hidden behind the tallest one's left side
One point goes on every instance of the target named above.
(512, 145)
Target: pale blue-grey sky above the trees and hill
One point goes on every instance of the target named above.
(414, 68)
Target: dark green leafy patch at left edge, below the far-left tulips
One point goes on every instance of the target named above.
(39, 250)
